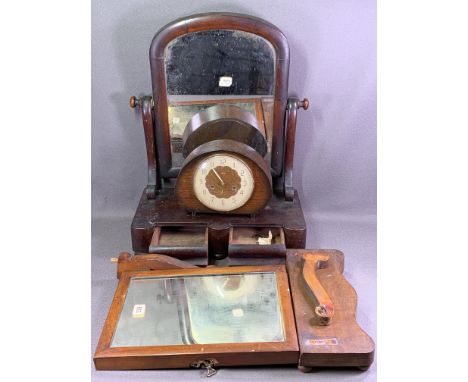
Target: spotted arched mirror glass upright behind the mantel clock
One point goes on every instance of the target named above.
(210, 67)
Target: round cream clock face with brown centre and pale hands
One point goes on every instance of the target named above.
(223, 182)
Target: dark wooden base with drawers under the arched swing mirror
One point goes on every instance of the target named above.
(165, 211)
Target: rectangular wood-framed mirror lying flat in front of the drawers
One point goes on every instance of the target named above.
(172, 318)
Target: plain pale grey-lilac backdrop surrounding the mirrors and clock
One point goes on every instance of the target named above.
(333, 63)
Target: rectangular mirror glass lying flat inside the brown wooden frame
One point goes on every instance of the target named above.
(208, 309)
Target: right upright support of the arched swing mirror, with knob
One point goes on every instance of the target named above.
(293, 105)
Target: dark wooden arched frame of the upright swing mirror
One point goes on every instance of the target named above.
(214, 21)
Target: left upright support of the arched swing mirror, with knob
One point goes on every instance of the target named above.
(146, 104)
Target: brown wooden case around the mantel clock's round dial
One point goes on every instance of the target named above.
(262, 178)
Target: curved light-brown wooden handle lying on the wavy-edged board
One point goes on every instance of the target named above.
(324, 309)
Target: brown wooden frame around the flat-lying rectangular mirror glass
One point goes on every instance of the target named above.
(183, 356)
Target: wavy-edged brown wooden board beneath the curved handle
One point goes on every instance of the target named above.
(342, 342)
